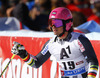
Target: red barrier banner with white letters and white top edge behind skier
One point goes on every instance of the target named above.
(33, 42)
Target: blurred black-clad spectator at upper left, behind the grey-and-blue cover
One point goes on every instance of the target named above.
(21, 12)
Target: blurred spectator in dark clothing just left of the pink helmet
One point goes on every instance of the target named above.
(40, 12)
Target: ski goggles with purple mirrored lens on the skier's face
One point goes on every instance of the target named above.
(55, 22)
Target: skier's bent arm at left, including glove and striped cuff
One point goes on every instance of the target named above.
(34, 61)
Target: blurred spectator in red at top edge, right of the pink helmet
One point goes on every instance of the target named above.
(82, 6)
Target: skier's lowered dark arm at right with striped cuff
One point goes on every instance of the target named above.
(90, 56)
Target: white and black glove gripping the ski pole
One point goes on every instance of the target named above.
(19, 49)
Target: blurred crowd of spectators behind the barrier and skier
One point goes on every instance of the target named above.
(35, 13)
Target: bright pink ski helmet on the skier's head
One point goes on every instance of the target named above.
(63, 14)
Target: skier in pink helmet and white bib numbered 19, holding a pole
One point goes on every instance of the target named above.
(73, 51)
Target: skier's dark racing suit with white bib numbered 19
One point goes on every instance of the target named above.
(74, 54)
